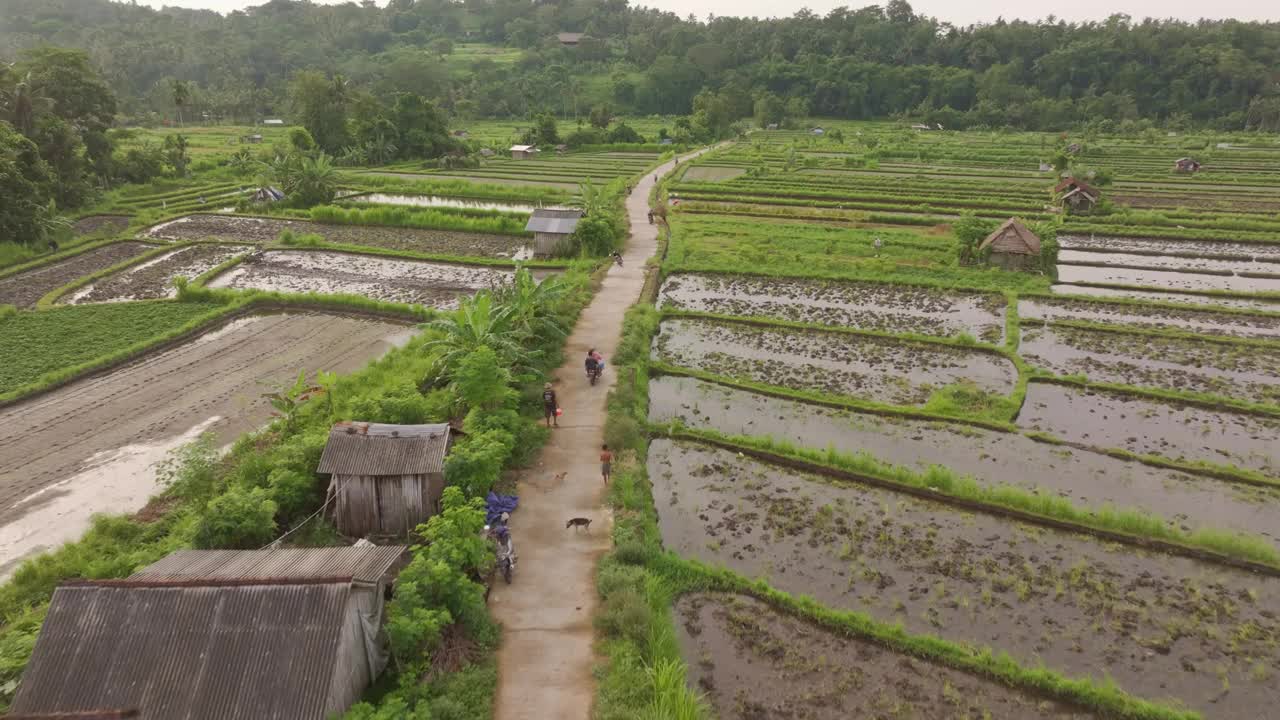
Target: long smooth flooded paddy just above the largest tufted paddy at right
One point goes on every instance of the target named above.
(1087, 479)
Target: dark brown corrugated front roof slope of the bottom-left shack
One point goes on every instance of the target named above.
(248, 653)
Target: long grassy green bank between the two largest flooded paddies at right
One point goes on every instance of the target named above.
(943, 485)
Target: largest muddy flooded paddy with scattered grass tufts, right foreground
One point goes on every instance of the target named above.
(1163, 627)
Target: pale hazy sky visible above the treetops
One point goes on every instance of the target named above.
(961, 13)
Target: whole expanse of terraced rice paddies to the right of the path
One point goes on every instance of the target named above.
(856, 439)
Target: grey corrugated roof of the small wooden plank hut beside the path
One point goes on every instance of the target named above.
(373, 449)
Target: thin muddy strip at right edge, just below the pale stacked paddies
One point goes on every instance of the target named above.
(1200, 321)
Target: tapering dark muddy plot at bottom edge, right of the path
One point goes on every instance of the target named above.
(755, 662)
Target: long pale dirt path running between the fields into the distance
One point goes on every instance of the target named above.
(545, 664)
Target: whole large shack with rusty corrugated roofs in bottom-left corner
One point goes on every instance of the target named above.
(198, 636)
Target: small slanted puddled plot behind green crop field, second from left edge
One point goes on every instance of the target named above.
(154, 279)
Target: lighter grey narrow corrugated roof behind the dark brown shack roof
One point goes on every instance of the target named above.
(368, 564)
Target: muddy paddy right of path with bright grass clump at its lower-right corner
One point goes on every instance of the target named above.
(880, 370)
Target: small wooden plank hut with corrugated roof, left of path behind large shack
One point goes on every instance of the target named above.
(386, 480)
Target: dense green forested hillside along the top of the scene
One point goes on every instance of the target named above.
(502, 58)
